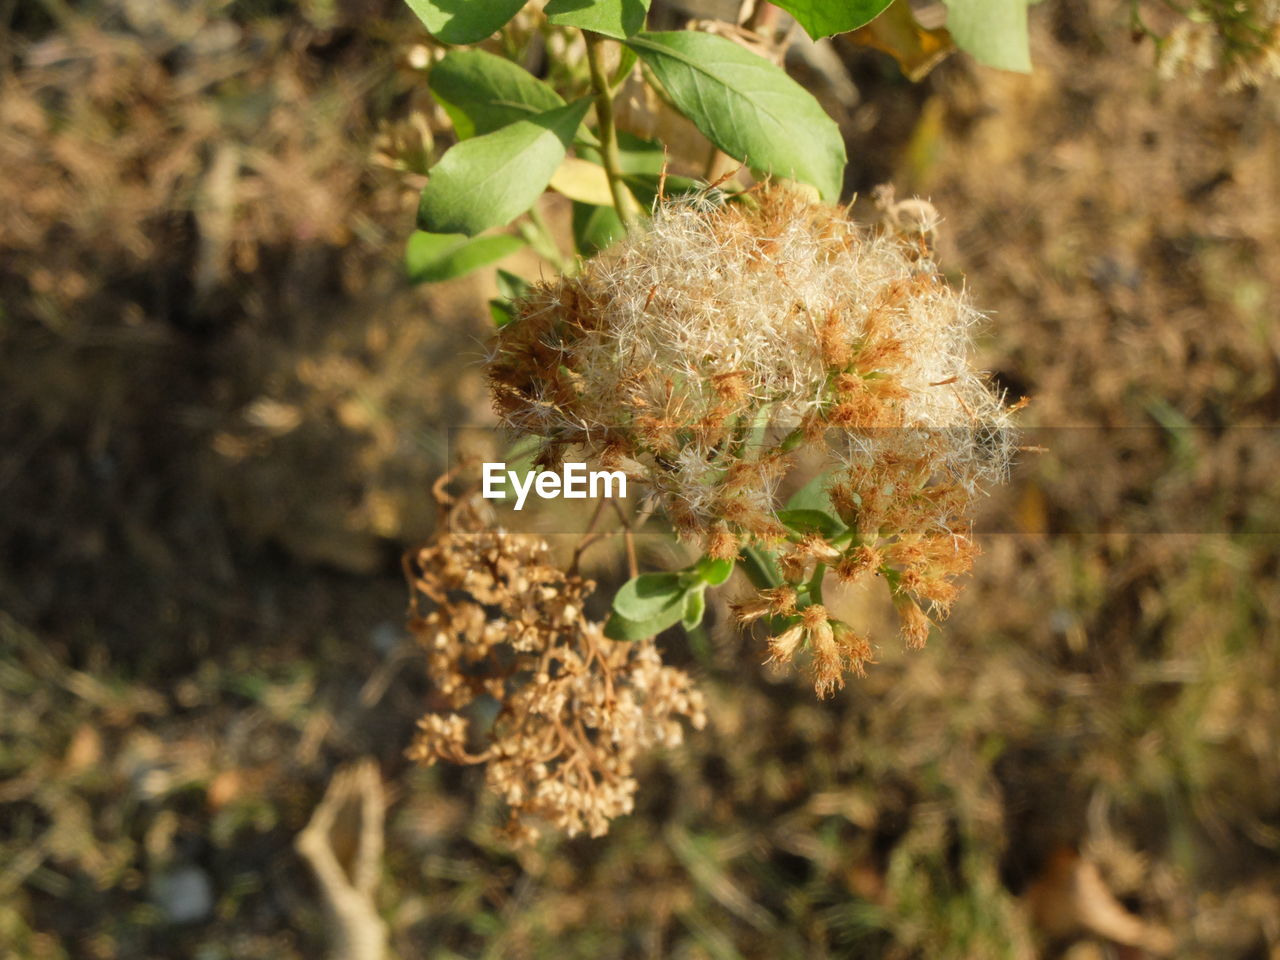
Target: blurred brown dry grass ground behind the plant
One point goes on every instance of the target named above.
(222, 408)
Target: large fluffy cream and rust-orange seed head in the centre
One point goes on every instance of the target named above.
(703, 354)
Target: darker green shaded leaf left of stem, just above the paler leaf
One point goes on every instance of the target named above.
(483, 93)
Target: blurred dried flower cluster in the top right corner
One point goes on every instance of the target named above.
(1237, 42)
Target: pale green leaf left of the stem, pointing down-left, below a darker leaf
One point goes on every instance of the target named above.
(490, 181)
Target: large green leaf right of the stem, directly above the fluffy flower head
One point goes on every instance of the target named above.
(747, 107)
